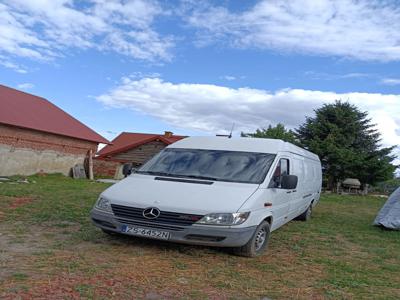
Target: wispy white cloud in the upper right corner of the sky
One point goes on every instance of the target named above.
(365, 29)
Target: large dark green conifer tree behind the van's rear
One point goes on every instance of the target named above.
(347, 143)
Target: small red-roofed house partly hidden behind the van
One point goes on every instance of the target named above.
(129, 147)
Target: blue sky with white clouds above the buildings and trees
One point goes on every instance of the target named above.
(198, 67)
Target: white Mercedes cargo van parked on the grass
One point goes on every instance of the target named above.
(216, 191)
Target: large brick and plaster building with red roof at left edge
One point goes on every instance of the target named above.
(37, 136)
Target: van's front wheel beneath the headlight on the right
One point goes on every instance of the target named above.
(258, 242)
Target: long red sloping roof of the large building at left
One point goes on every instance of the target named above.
(28, 111)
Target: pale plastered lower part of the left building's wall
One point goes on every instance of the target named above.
(24, 161)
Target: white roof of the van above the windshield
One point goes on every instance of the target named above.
(260, 145)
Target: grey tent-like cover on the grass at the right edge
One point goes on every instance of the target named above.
(389, 215)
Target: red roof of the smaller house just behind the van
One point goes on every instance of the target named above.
(129, 140)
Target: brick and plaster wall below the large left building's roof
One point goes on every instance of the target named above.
(26, 151)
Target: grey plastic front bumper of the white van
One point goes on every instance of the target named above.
(194, 234)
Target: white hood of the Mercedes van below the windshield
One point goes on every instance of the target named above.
(144, 191)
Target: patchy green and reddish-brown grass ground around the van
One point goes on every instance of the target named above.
(49, 249)
